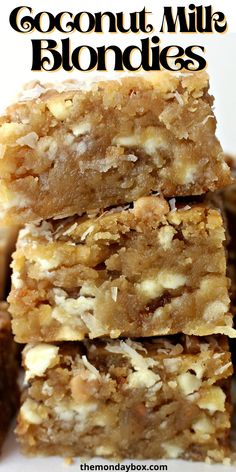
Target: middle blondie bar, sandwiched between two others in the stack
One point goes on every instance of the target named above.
(142, 271)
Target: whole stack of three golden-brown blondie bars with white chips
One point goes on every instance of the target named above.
(119, 286)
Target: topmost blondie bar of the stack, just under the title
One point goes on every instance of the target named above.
(76, 147)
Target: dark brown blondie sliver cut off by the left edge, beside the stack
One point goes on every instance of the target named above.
(9, 391)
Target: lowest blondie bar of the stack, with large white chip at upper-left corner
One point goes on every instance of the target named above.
(166, 397)
